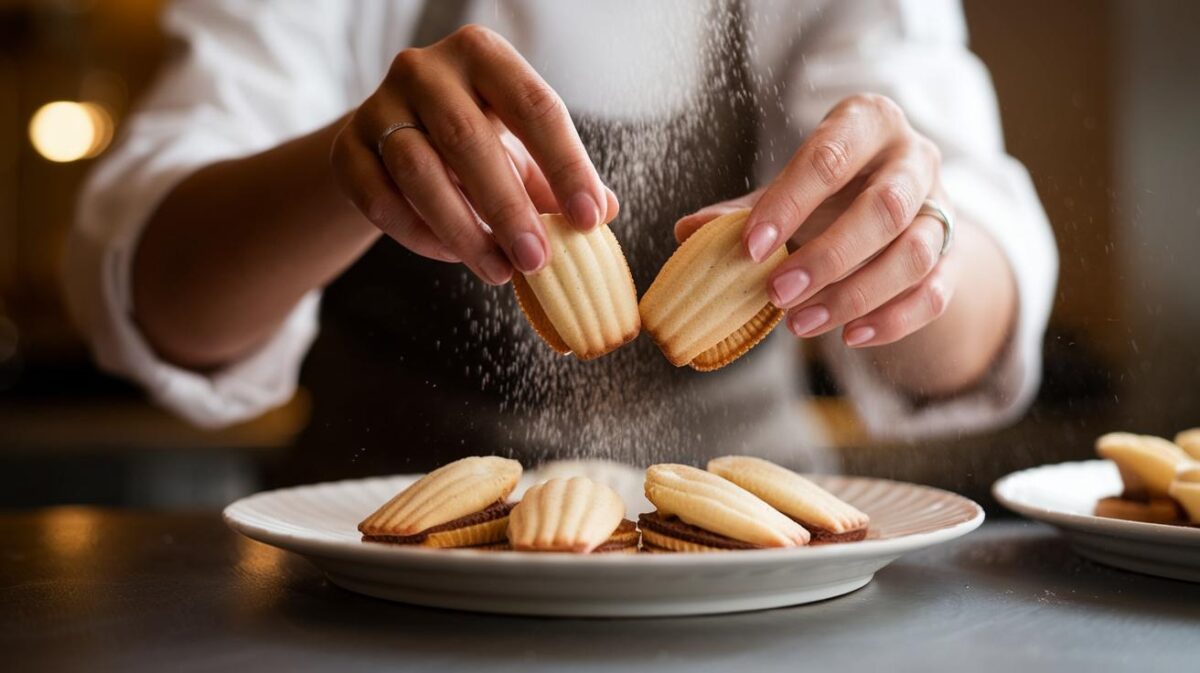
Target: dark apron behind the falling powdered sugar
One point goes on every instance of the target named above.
(419, 364)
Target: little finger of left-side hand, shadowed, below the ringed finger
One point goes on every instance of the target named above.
(371, 190)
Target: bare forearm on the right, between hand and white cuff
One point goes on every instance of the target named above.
(957, 350)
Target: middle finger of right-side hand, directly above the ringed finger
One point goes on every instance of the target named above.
(885, 208)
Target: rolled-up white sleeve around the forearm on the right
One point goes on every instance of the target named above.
(915, 52)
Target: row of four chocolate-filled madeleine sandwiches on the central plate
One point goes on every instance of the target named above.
(740, 503)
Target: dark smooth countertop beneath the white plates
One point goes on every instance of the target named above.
(95, 590)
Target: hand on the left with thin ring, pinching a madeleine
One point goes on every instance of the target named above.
(500, 145)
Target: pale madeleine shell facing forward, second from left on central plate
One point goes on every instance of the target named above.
(566, 515)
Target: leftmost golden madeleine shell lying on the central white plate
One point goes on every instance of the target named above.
(453, 491)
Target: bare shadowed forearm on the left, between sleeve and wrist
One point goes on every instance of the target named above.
(235, 247)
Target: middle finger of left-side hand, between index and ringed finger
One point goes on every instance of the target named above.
(469, 145)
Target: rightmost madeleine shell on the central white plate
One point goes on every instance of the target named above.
(790, 494)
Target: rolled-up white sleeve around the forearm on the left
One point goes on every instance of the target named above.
(242, 77)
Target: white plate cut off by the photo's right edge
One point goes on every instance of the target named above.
(1065, 496)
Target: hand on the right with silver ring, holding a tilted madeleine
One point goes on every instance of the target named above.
(849, 199)
